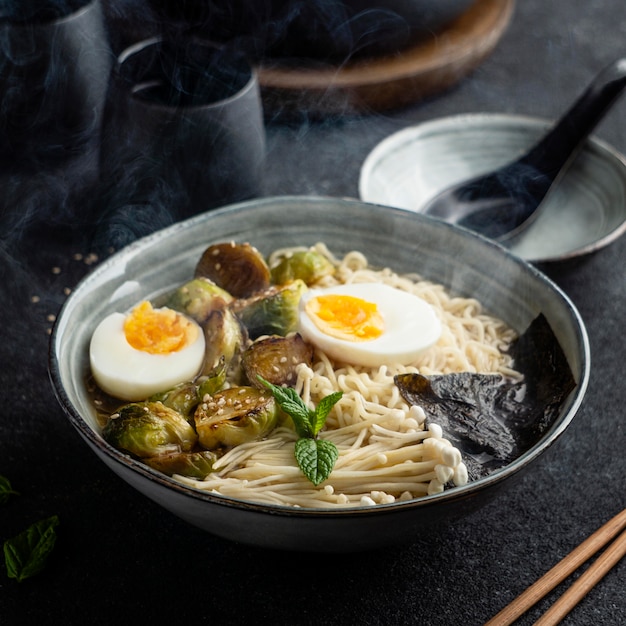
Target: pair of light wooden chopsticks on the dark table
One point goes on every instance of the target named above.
(565, 568)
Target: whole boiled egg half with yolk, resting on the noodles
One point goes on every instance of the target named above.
(368, 324)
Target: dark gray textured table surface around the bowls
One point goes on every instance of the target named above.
(121, 559)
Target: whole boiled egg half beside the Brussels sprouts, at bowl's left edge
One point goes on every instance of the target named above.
(144, 352)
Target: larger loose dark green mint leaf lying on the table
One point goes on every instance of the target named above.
(26, 554)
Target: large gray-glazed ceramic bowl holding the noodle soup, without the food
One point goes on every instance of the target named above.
(466, 263)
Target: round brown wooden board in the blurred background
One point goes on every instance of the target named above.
(385, 83)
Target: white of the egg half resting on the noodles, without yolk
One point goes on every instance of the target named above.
(411, 326)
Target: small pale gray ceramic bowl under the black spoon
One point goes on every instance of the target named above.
(584, 213)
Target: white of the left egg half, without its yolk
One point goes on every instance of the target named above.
(130, 374)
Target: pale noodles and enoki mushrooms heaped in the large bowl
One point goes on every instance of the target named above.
(386, 452)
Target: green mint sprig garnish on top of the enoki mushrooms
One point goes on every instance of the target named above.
(315, 457)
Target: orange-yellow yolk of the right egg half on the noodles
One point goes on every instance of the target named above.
(346, 317)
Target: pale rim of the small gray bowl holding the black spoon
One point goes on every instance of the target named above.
(592, 142)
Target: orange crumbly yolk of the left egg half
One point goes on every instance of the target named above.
(158, 331)
